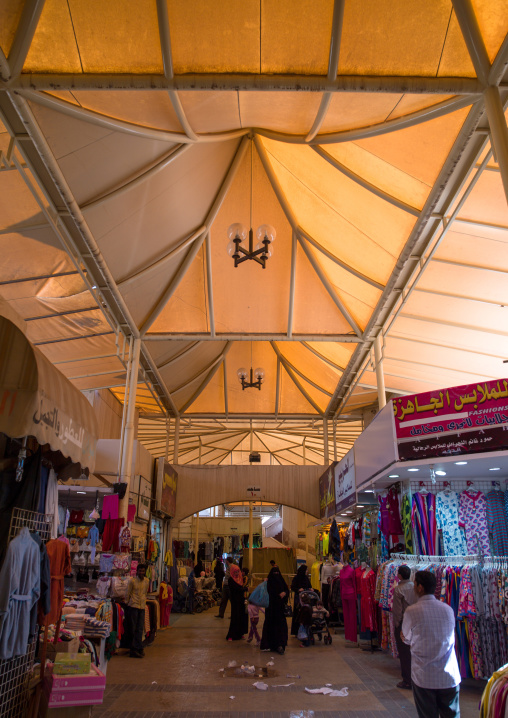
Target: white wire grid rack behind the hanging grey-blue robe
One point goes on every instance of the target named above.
(15, 673)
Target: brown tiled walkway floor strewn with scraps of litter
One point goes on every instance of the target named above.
(179, 678)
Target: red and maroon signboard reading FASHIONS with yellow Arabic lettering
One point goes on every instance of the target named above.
(464, 419)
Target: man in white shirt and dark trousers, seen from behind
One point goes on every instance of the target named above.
(428, 627)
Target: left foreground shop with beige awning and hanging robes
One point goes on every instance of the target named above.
(48, 433)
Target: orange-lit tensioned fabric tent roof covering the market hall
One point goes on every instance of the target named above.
(135, 132)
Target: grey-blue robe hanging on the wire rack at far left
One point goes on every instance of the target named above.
(19, 593)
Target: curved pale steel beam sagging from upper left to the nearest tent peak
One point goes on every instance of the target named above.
(114, 124)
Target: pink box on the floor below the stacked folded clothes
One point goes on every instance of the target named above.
(75, 690)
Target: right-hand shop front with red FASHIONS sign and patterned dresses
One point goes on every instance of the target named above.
(438, 464)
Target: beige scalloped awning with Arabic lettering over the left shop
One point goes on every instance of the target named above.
(37, 400)
